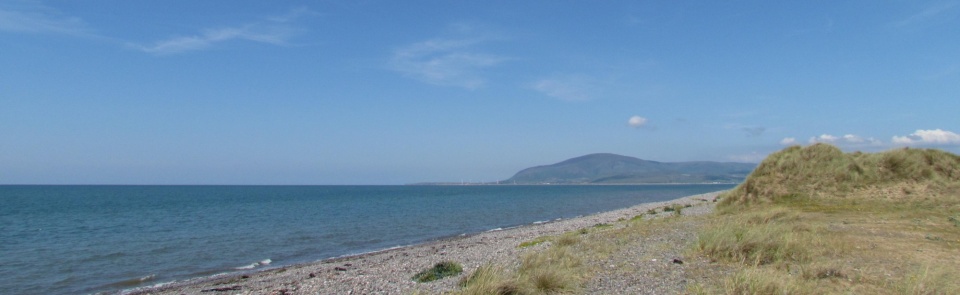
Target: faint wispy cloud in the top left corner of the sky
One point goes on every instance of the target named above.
(37, 20)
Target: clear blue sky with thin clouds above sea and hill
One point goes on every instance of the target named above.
(396, 92)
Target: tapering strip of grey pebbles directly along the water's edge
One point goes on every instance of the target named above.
(388, 271)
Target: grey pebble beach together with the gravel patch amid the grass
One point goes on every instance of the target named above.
(390, 271)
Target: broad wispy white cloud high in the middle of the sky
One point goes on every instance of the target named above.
(446, 61)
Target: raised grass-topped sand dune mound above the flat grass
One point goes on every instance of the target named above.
(823, 171)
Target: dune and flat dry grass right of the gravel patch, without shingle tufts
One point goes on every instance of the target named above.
(817, 221)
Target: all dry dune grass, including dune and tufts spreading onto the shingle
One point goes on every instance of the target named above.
(810, 220)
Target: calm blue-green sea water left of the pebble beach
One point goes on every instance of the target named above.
(89, 239)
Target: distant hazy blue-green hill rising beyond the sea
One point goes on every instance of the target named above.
(617, 169)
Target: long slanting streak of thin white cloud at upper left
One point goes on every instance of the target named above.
(275, 30)
